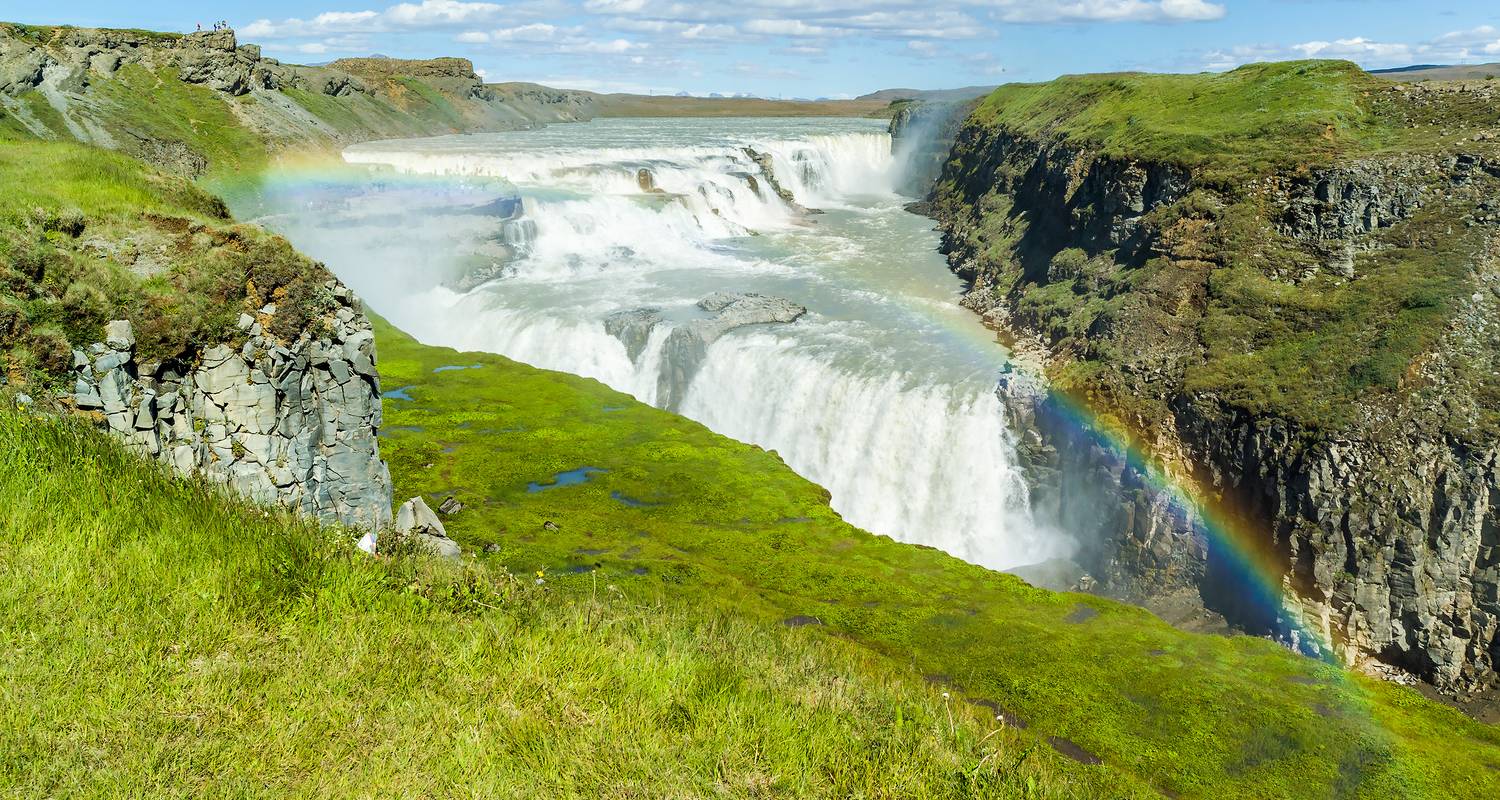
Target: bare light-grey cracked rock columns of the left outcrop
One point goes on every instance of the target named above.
(280, 423)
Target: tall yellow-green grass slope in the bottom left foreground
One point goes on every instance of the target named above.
(160, 640)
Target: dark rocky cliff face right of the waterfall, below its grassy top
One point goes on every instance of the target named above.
(1312, 349)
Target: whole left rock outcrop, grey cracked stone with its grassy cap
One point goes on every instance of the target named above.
(211, 346)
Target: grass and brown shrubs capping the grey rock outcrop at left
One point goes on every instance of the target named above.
(89, 236)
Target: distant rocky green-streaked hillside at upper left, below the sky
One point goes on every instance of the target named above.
(119, 89)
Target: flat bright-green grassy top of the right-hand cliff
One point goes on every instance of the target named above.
(1231, 125)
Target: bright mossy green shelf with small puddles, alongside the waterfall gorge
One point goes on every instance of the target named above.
(728, 526)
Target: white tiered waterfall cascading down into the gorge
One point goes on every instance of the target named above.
(883, 392)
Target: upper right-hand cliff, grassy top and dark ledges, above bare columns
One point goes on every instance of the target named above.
(1214, 254)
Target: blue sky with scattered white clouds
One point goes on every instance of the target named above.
(821, 49)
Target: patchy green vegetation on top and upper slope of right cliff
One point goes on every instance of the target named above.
(1309, 350)
